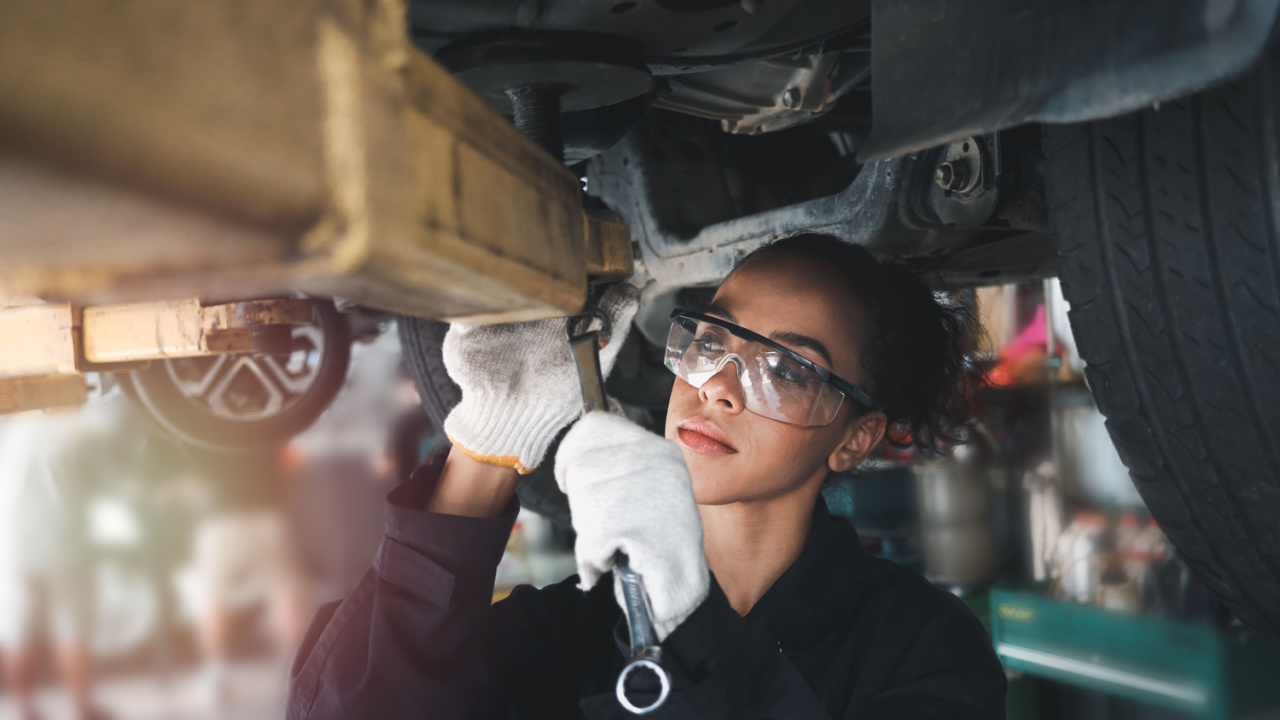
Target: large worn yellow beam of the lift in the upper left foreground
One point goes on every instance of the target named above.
(157, 151)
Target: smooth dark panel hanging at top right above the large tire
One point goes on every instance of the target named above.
(950, 69)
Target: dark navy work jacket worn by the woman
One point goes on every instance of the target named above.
(840, 635)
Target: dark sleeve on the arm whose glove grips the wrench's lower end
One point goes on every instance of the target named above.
(724, 668)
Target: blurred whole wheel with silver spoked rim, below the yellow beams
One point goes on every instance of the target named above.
(228, 403)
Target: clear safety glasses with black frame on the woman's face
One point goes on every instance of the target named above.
(778, 382)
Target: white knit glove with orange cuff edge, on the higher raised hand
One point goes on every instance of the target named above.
(520, 384)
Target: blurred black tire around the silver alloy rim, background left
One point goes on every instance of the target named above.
(184, 420)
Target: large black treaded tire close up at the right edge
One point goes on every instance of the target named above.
(1167, 229)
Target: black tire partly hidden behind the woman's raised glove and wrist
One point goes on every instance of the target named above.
(420, 348)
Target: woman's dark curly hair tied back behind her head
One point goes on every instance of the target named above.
(916, 348)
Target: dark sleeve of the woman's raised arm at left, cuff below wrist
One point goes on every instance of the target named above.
(414, 635)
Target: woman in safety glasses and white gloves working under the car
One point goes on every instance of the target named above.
(766, 605)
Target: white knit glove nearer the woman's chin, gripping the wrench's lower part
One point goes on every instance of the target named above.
(629, 491)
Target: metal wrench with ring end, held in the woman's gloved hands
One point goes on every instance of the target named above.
(646, 653)
